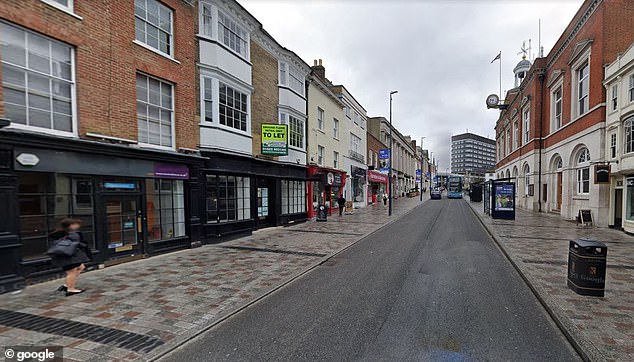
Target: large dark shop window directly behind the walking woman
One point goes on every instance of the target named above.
(47, 198)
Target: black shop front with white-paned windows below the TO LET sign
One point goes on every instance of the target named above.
(243, 194)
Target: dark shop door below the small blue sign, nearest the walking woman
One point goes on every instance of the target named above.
(123, 226)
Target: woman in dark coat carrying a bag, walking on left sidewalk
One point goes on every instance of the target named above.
(73, 265)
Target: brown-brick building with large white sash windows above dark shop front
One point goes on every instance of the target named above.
(101, 100)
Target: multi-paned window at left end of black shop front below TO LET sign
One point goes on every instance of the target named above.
(228, 198)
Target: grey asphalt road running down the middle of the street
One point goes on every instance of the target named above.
(430, 287)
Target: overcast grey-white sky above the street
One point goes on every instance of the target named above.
(436, 53)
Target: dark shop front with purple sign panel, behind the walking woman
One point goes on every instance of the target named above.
(132, 203)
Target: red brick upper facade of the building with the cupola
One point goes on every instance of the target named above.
(609, 28)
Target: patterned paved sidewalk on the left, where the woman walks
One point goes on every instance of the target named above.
(140, 310)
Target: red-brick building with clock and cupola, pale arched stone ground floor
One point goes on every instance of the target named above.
(552, 132)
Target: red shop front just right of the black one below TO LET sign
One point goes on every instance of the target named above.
(325, 186)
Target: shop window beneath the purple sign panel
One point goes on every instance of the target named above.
(165, 203)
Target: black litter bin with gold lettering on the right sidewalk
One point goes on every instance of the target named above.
(586, 266)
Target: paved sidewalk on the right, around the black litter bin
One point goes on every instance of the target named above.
(538, 245)
